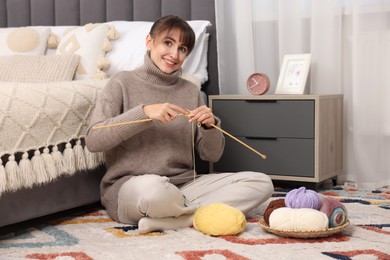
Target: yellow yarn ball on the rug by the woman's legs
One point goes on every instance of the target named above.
(219, 219)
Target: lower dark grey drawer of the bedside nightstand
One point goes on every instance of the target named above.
(285, 156)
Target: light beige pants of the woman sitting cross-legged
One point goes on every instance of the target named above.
(155, 197)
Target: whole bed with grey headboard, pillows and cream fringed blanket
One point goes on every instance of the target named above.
(77, 183)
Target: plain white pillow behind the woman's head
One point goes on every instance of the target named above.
(128, 51)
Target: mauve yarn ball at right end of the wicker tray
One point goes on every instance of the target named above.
(334, 210)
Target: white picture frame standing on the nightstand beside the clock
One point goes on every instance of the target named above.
(293, 74)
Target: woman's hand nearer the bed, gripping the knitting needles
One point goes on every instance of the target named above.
(163, 112)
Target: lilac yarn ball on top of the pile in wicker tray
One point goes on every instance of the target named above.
(303, 198)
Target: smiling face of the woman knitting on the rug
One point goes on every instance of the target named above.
(166, 51)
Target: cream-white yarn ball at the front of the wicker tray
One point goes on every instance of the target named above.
(303, 219)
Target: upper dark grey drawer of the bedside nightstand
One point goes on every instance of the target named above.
(266, 118)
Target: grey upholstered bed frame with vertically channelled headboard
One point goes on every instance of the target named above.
(83, 188)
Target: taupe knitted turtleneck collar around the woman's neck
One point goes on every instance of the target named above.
(151, 73)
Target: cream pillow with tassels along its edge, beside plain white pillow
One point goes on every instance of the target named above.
(91, 42)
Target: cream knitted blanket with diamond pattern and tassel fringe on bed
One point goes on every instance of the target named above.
(42, 126)
